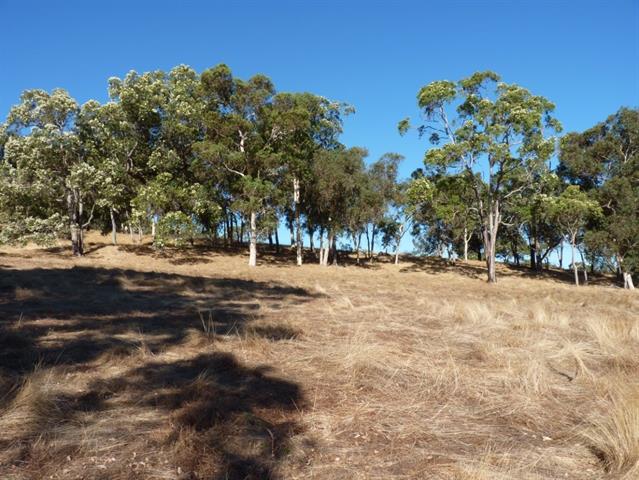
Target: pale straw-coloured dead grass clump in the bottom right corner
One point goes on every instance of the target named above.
(614, 432)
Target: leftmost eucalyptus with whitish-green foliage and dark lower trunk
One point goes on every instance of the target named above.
(45, 160)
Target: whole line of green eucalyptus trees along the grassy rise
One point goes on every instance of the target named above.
(187, 156)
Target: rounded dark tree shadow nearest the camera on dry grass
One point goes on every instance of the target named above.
(237, 420)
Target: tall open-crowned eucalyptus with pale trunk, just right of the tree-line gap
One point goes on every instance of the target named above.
(497, 138)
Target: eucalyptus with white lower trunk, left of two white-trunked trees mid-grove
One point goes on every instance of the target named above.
(241, 133)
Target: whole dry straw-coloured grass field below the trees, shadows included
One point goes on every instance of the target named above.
(131, 364)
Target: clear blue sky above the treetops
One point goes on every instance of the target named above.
(582, 55)
